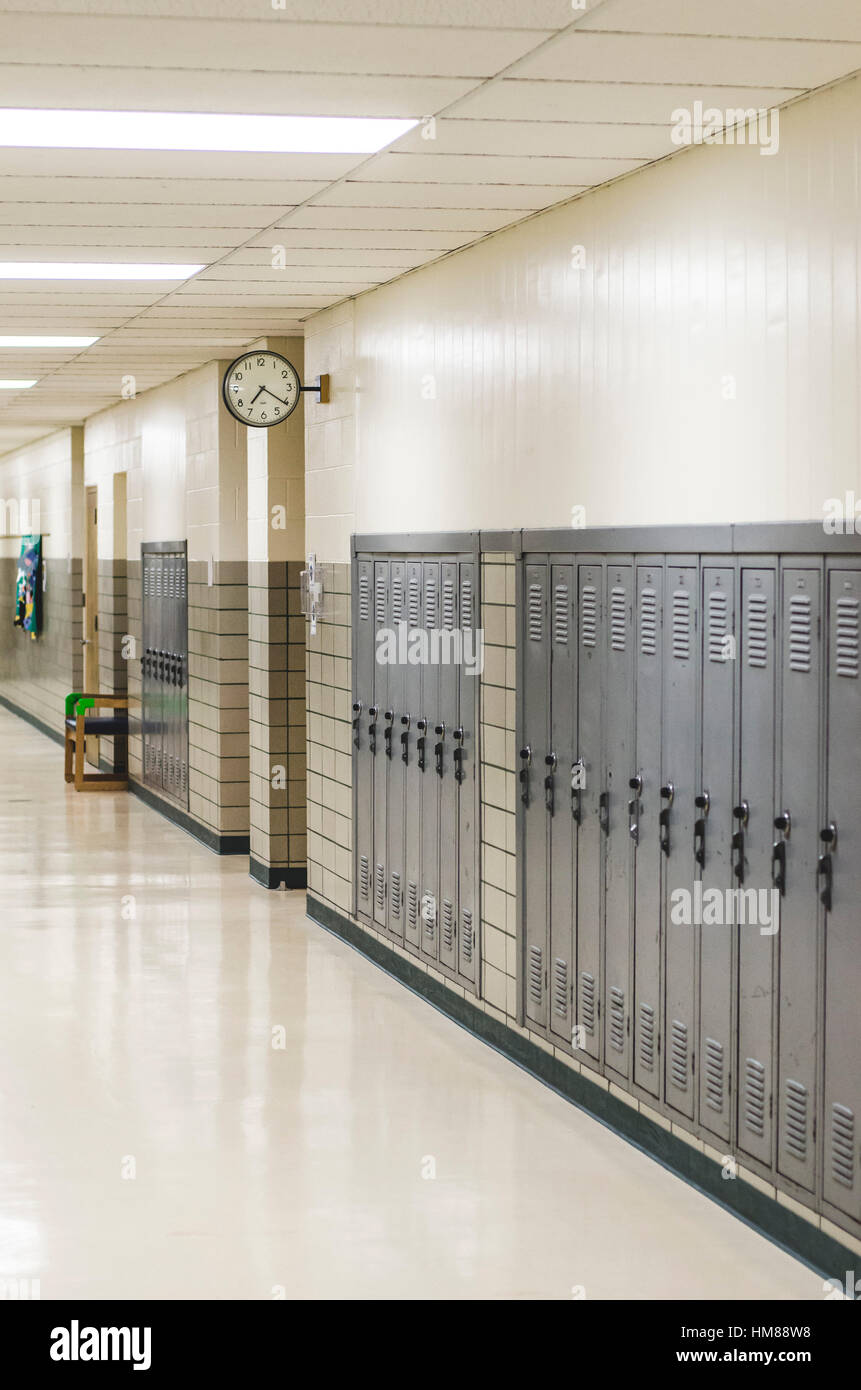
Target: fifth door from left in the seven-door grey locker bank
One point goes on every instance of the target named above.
(430, 780)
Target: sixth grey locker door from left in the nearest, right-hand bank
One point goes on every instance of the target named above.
(678, 790)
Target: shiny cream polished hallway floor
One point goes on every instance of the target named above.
(156, 1145)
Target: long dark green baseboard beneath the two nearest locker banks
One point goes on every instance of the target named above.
(781, 1225)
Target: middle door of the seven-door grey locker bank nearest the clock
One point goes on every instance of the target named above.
(410, 751)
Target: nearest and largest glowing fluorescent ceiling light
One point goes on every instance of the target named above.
(198, 131)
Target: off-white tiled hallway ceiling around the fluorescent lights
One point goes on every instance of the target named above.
(535, 104)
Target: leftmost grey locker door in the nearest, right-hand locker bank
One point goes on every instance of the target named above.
(532, 792)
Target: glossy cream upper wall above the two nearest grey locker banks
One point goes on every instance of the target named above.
(702, 366)
